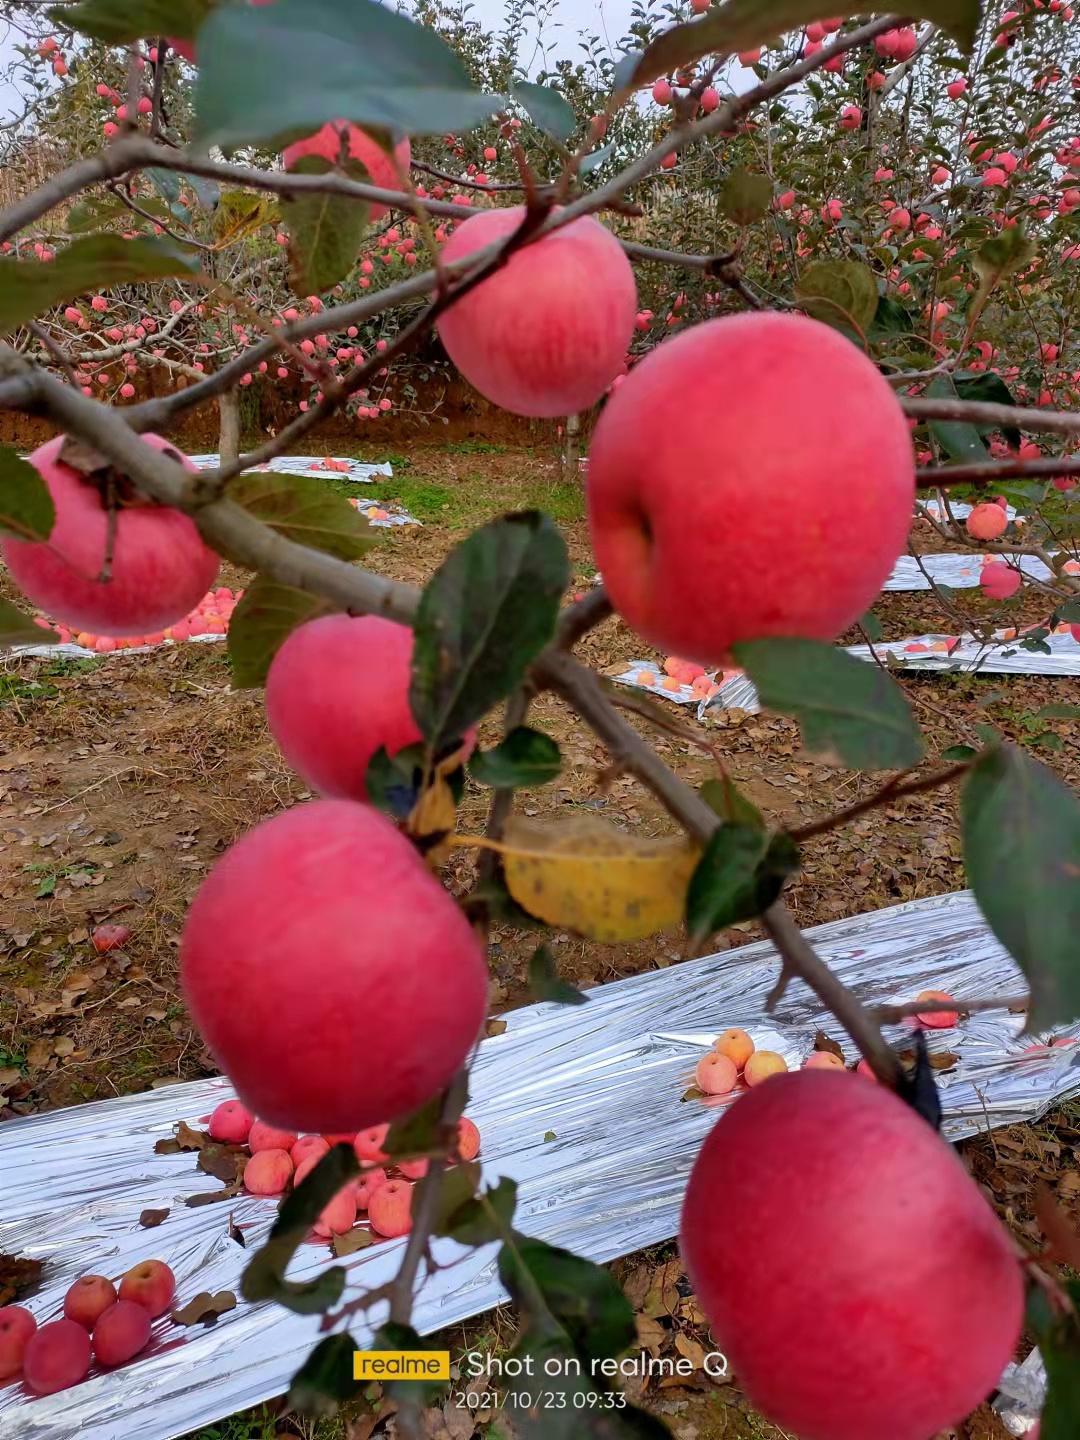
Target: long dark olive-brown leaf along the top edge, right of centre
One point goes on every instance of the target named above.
(739, 25)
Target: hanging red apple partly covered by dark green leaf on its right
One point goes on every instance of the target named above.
(338, 692)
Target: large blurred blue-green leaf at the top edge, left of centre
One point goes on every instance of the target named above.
(365, 61)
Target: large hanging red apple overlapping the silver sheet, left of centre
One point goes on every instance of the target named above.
(332, 976)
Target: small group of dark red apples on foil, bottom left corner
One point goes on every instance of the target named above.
(102, 1321)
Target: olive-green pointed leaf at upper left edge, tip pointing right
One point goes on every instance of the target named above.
(31, 287)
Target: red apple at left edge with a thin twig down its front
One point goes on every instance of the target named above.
(161, 567)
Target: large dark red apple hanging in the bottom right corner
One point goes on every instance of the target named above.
(892, 1307)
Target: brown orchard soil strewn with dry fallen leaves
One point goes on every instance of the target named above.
(123, 778)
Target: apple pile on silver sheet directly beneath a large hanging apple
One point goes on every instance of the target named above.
(283, 1158)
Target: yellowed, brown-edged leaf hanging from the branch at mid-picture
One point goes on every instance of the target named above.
(587, 876)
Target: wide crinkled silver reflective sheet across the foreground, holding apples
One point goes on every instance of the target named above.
(606, 1081)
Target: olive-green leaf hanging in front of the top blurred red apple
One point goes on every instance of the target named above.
(325, 230)
